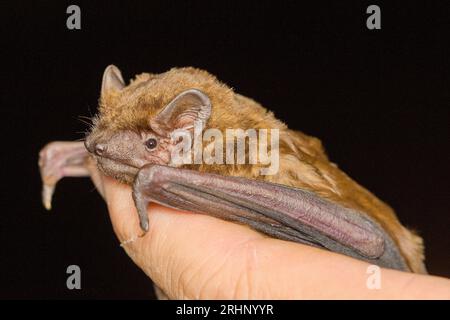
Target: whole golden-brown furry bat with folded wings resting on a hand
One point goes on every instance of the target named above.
(308, 199)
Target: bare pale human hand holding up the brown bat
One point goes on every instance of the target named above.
(194, 256)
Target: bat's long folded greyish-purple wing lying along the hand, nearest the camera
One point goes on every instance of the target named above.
(276, 210)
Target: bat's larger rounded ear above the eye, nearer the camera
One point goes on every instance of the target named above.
(181, 113)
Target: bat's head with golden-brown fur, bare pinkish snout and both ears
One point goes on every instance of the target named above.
(136, 123)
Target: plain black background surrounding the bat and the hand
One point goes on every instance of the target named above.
(378, 100)
